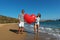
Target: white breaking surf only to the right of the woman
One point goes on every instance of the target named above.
(51, 31)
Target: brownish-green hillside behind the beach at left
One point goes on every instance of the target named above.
(5, 19)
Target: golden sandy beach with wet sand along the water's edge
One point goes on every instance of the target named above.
(9, 32)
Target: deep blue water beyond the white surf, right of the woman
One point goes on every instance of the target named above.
(55, 24)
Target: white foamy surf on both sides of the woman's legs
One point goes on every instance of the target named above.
(51, 31)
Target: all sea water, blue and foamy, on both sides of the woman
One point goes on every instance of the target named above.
(52, 28)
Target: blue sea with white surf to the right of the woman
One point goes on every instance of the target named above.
(52, 28)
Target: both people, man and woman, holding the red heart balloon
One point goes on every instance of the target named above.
(21, 22)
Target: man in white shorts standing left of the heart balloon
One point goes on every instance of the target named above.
(21, 22)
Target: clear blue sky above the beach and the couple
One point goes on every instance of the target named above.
(49, 9)
